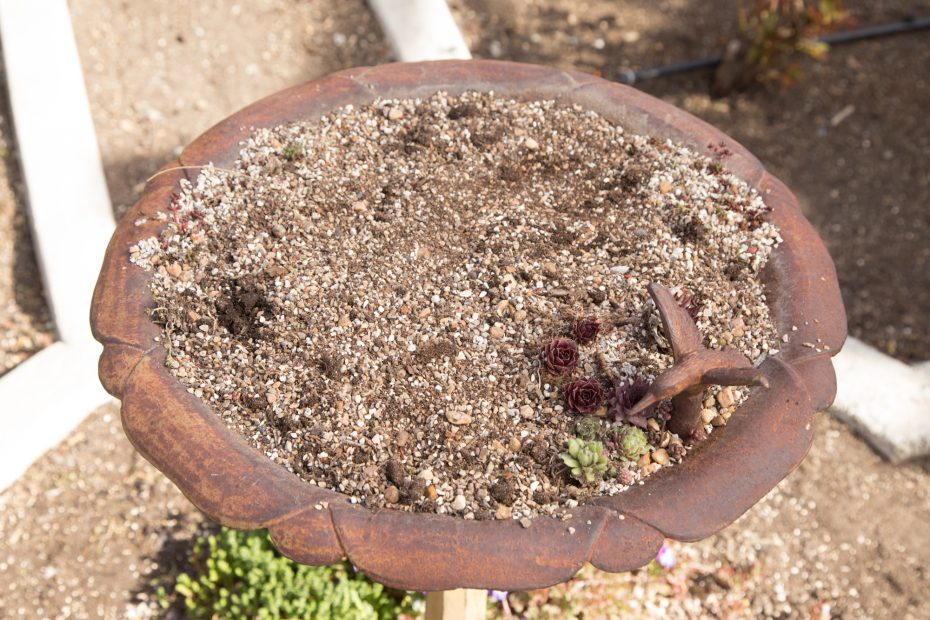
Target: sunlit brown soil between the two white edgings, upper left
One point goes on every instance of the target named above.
(159, 73)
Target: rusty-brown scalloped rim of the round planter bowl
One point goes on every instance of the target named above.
(234, 484)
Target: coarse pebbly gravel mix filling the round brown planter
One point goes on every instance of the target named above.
(384, 302)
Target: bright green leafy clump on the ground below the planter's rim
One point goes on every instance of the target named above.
(241, 575)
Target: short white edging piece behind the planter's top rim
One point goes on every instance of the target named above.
(420, 29)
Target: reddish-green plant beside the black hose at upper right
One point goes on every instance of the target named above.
(777, 31)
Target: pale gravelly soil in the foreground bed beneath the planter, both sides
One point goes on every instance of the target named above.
(91, 524)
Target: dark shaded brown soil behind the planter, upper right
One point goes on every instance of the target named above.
(850, 138)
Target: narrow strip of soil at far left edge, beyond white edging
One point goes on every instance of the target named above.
(25, 324)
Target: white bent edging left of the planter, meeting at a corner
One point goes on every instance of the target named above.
(44, 398)
